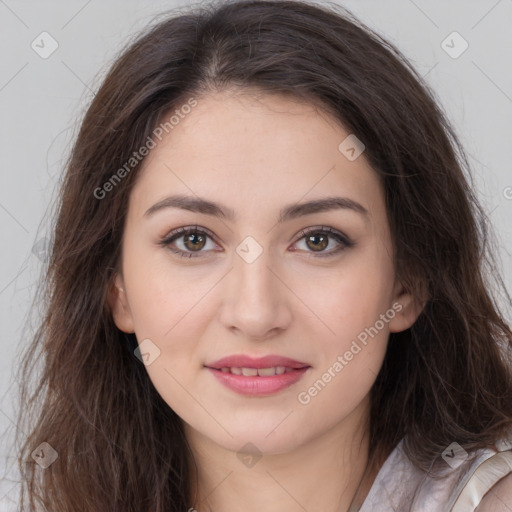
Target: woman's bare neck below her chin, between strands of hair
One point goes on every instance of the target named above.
(328, 473)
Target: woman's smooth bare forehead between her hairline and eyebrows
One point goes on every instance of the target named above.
(246, 149)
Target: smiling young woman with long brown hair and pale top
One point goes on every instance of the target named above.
(268, 285)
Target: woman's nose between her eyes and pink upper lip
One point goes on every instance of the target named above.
(257, 301)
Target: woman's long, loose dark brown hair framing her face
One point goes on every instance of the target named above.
(447, 378)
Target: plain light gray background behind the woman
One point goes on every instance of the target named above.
(42, 100)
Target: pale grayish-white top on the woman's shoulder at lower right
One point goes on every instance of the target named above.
(401, 487)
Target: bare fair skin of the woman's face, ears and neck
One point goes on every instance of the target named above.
(256, 153)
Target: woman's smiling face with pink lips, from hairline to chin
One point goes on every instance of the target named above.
(265, 277)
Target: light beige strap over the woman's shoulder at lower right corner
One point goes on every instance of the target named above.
(485, 476)
